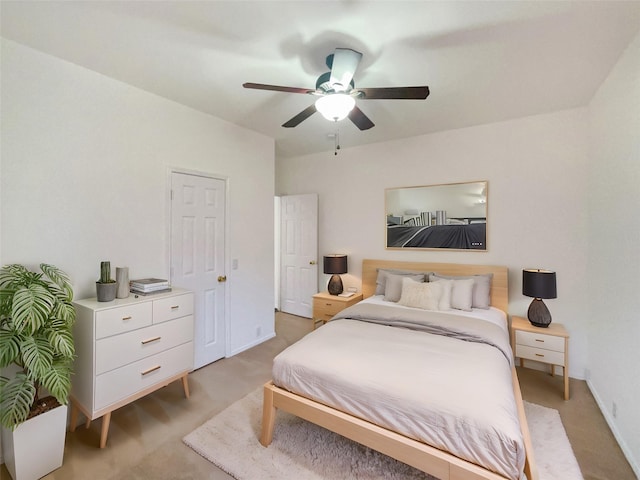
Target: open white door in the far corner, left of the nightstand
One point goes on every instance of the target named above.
(299, 253)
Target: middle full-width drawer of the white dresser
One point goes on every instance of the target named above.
(118, 350)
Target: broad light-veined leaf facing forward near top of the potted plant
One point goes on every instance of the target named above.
(31, 307)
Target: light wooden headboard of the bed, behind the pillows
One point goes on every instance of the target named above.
(499, 285)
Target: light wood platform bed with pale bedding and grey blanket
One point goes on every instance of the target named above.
(312, 386)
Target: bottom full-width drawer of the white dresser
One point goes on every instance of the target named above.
(123, 382)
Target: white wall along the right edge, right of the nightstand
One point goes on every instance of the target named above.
(614, 251)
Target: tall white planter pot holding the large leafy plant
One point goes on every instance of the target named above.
(36, 447)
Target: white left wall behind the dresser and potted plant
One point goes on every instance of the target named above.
(85, 163)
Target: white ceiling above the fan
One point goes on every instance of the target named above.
(483, 61)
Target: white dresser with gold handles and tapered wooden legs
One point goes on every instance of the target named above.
(128, 348)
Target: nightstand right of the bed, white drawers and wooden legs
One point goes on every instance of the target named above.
(546, 345)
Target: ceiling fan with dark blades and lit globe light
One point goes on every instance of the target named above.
(337, 92)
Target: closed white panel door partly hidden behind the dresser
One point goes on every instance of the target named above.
(197, 257)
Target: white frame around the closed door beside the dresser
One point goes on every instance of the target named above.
(185, 171)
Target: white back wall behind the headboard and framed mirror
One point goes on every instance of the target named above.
(536, 169)
